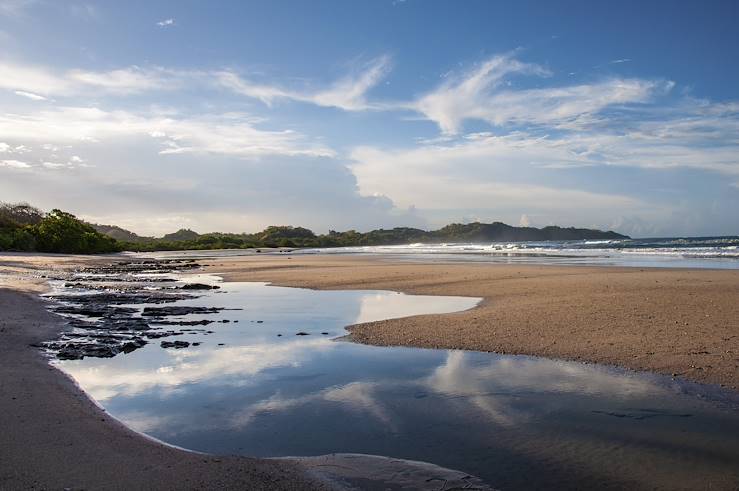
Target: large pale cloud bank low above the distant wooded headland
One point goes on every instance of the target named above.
(487, 176)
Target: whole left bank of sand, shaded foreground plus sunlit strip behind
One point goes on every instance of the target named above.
(57, 437)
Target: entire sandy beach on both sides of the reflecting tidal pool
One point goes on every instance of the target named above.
(668, 321)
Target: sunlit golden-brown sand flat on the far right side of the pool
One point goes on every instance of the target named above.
(683, 323)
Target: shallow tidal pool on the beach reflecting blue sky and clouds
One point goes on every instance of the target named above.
(518, 422)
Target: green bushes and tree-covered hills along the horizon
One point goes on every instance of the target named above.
(26, 228)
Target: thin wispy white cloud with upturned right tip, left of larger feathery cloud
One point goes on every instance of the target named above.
(348, 93)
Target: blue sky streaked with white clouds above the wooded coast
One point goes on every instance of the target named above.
(234, 115)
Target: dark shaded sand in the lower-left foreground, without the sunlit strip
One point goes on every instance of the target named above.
(54, 436)
